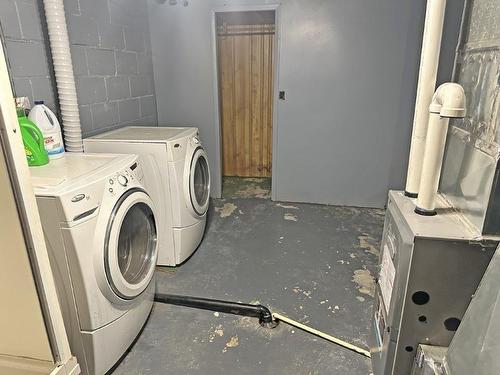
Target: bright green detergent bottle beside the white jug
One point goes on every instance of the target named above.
(33, 141)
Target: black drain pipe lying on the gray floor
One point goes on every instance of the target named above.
(256, 311)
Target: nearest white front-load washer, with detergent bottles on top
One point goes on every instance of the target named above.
(100, 229)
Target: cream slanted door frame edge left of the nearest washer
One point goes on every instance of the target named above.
(11, 146)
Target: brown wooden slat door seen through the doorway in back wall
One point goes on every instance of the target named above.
(246, 66)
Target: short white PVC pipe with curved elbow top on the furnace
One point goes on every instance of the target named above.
(448, 102)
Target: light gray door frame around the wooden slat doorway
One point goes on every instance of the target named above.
(277, 46)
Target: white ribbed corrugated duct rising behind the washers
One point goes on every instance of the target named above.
(63, 67)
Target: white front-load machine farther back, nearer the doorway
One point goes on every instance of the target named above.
(177, 175)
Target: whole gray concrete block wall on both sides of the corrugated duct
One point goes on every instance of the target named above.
(111, 51)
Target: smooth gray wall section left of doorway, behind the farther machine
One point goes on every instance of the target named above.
(181, 40)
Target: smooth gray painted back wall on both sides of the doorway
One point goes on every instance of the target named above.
(349, 69)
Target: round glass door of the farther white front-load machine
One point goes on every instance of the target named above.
(199, 182)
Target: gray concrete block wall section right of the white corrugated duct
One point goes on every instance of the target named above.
(111, 52)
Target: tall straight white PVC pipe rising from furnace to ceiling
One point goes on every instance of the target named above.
(429, 61)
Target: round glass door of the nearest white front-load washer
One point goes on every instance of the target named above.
(131, 246)
